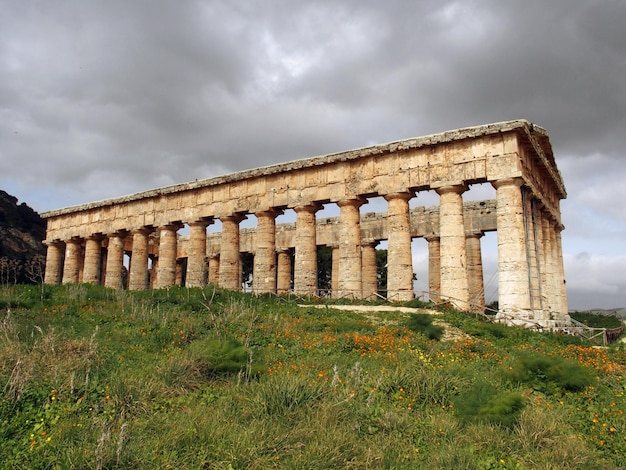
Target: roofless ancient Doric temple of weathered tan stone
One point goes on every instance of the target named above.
(88, 243)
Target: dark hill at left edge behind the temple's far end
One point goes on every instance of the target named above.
(21, 233)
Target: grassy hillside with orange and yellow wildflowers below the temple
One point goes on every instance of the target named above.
(190, 378)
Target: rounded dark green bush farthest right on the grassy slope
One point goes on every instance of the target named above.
(550, 374)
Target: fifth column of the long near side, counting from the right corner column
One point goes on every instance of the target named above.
(305, 265)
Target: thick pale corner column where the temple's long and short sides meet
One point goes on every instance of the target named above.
(513, 283)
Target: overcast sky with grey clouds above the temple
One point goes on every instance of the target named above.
(104, 98)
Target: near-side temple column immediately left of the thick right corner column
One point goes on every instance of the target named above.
(454, 287)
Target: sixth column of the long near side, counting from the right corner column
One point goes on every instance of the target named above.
(264, 269)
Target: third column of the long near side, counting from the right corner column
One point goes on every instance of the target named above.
(399, 257)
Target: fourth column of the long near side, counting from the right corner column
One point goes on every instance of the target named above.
(350, 275)
